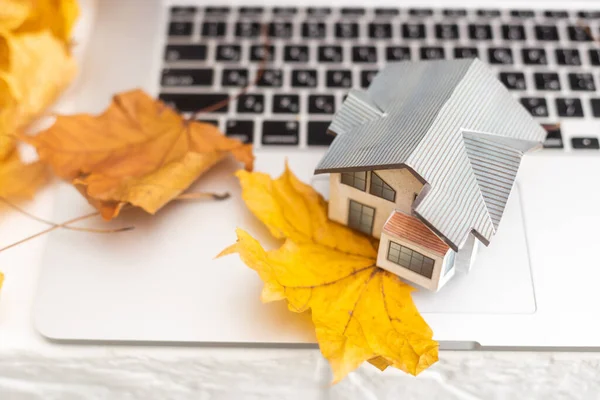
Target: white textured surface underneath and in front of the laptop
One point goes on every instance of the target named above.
(34, 368)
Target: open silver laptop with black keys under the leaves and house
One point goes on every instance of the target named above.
(534, 287)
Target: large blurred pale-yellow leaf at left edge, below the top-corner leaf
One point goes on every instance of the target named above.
(34, 69)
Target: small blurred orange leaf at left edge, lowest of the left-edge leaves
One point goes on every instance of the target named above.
(18, 180)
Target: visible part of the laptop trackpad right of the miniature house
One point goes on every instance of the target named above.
(500, 282)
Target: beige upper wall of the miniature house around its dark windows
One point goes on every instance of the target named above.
(401, 180)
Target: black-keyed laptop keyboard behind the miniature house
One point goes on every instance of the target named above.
(548, 59)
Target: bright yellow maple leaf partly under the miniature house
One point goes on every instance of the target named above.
(360, 312)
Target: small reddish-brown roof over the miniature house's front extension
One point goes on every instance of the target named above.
(412, 229)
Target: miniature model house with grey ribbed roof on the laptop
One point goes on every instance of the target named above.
(425, 160)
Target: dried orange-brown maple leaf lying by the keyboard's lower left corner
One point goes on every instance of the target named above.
(139, 152)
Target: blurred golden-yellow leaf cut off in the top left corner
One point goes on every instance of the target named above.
(58, 16)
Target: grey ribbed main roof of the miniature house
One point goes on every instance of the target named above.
(454, 125)
